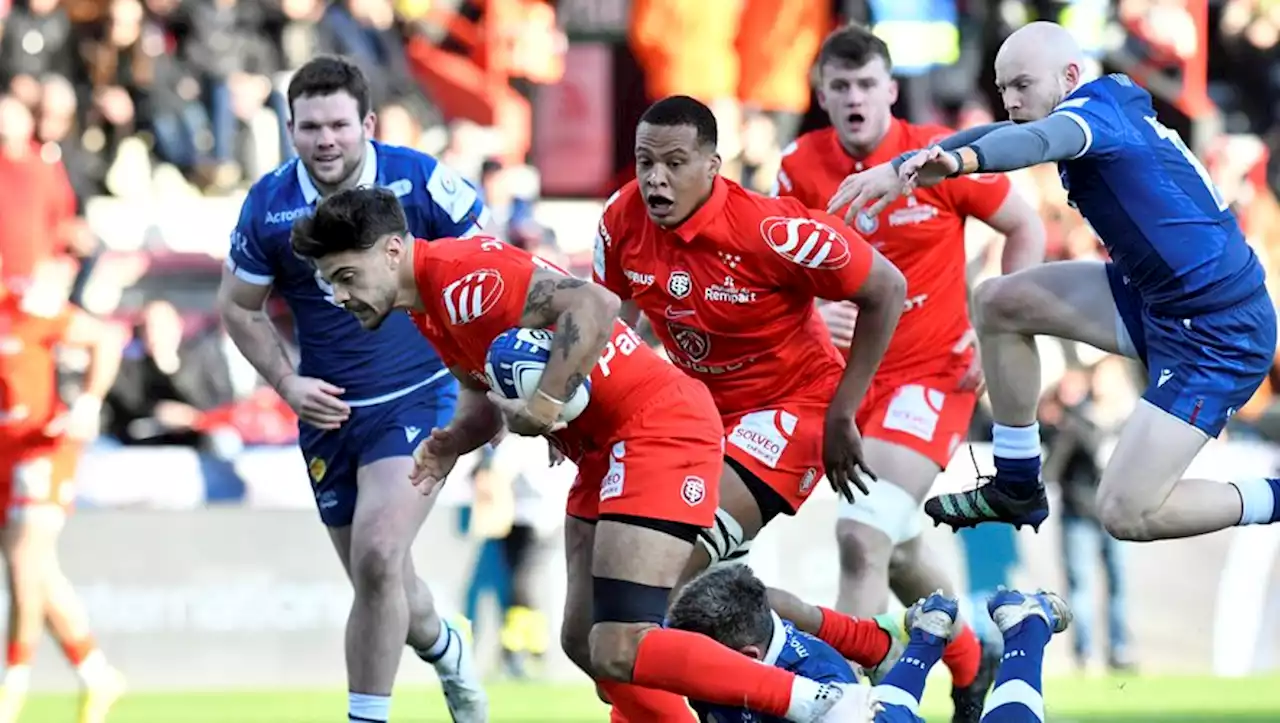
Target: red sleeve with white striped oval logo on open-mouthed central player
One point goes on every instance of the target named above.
(820, 253)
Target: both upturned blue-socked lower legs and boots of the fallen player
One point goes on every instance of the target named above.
(1027, 621)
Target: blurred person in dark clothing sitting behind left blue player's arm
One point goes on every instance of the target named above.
(164, 386)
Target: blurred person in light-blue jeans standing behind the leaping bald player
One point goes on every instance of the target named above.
(1080, 424)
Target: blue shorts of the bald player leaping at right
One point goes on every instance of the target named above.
(1204, 368)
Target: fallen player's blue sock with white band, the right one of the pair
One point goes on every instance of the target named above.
(1018, 695)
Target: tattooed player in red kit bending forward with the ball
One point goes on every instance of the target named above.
(647, 445)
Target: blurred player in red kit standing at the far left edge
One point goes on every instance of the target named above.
(42, 442)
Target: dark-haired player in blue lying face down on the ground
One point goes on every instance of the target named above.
(732, 606)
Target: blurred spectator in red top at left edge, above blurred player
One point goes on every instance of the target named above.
(38, 205)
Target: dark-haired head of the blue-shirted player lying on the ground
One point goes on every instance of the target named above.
(729, 605)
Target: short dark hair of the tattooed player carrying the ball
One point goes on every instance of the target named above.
(349, 221)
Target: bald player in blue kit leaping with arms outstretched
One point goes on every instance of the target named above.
(1183, 292)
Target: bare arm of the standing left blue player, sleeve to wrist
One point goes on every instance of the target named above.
(243, 308)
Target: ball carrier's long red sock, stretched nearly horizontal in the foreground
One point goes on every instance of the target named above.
(700, 669)
